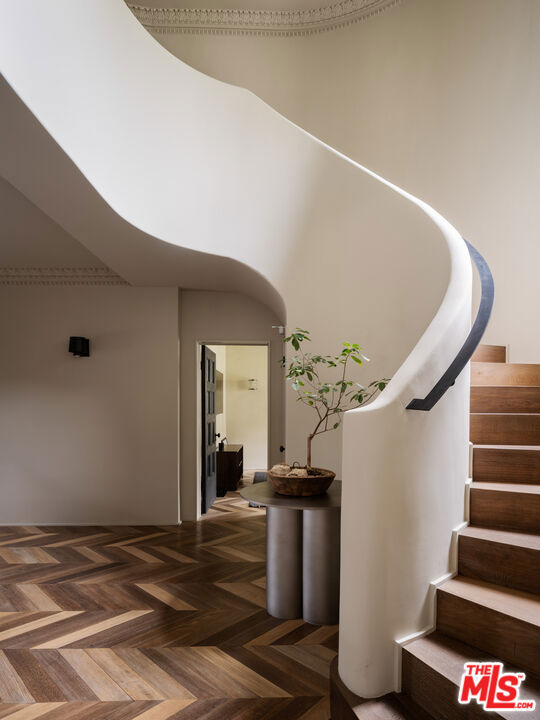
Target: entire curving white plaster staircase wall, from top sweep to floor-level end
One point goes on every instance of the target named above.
(173, 178)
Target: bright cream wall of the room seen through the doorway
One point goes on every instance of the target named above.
(247, 410)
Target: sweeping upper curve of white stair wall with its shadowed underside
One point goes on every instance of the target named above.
(205, 176)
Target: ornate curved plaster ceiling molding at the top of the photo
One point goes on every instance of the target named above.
(264, 23)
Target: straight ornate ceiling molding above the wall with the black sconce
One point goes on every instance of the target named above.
(59, 276)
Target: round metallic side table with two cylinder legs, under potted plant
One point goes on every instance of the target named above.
(302, 553)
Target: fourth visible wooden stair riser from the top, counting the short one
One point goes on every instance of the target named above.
(499, 429)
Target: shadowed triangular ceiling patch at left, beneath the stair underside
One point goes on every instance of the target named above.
(29, 238)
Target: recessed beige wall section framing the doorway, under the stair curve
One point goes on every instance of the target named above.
(216, 317)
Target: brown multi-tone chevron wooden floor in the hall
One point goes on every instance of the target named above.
(153, 623)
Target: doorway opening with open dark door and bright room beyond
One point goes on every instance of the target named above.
(235, 423)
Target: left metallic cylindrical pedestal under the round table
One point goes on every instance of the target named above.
(284, 562)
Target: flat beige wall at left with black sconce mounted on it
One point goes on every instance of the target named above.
(89, 440)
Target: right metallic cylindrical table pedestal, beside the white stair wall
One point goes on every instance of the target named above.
(320, 566)
